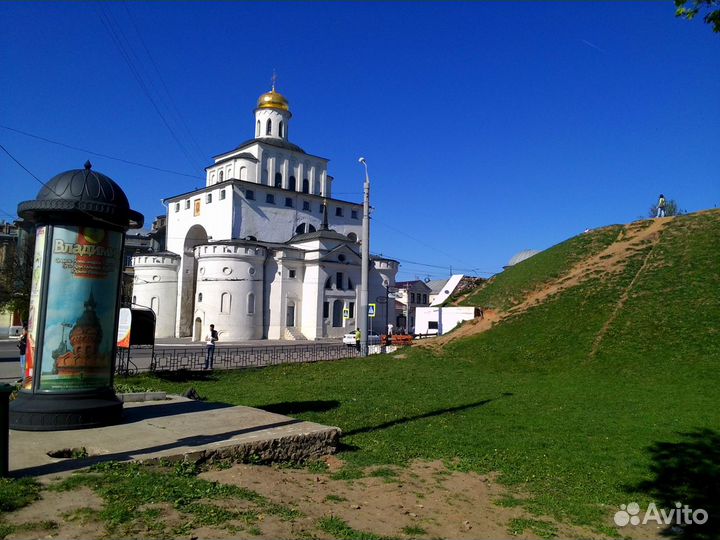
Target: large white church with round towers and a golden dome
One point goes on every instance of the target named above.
(263, 251)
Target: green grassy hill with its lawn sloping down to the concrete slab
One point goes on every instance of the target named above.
(597, 387)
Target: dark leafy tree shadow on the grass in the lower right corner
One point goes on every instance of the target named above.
(688, 472)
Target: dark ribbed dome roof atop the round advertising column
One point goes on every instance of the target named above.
(83, 194)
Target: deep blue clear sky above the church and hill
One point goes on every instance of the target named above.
(488, 128)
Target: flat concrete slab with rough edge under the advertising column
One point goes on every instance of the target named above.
(179, 429)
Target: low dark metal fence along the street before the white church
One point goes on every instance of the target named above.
(133, 361)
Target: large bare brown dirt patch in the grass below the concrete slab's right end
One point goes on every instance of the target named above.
(425, 496)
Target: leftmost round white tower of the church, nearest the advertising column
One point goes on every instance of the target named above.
(155, 286)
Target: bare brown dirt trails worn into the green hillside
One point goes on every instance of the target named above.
(631, 239)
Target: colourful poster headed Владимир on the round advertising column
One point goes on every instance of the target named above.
(81, 309)
